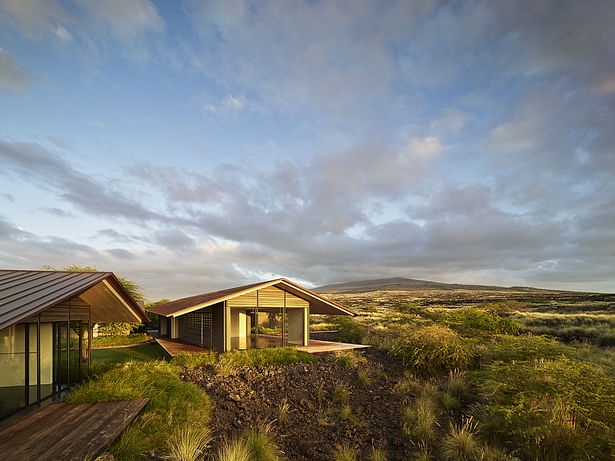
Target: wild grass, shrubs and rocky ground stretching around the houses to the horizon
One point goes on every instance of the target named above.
(453, 373)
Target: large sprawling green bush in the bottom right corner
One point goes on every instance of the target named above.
(559, 408)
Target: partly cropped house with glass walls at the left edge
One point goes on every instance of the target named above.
(46, 320)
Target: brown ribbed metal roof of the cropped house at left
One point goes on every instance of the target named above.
(26, 293)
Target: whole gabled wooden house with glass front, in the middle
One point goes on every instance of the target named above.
(265, 314)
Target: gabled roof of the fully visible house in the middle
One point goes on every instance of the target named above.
(318, 304)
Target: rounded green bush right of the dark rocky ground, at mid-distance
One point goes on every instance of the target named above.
(434, 349)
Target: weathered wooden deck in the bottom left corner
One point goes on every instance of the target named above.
(66, 431)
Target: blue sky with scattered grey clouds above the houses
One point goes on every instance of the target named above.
(192, 146)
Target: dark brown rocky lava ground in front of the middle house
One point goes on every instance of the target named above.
(314, 396)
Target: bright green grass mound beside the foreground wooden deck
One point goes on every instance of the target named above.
(173, 403)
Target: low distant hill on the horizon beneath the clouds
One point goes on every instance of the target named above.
(403, 284)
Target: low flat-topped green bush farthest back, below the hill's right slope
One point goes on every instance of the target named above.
(470, 319)
